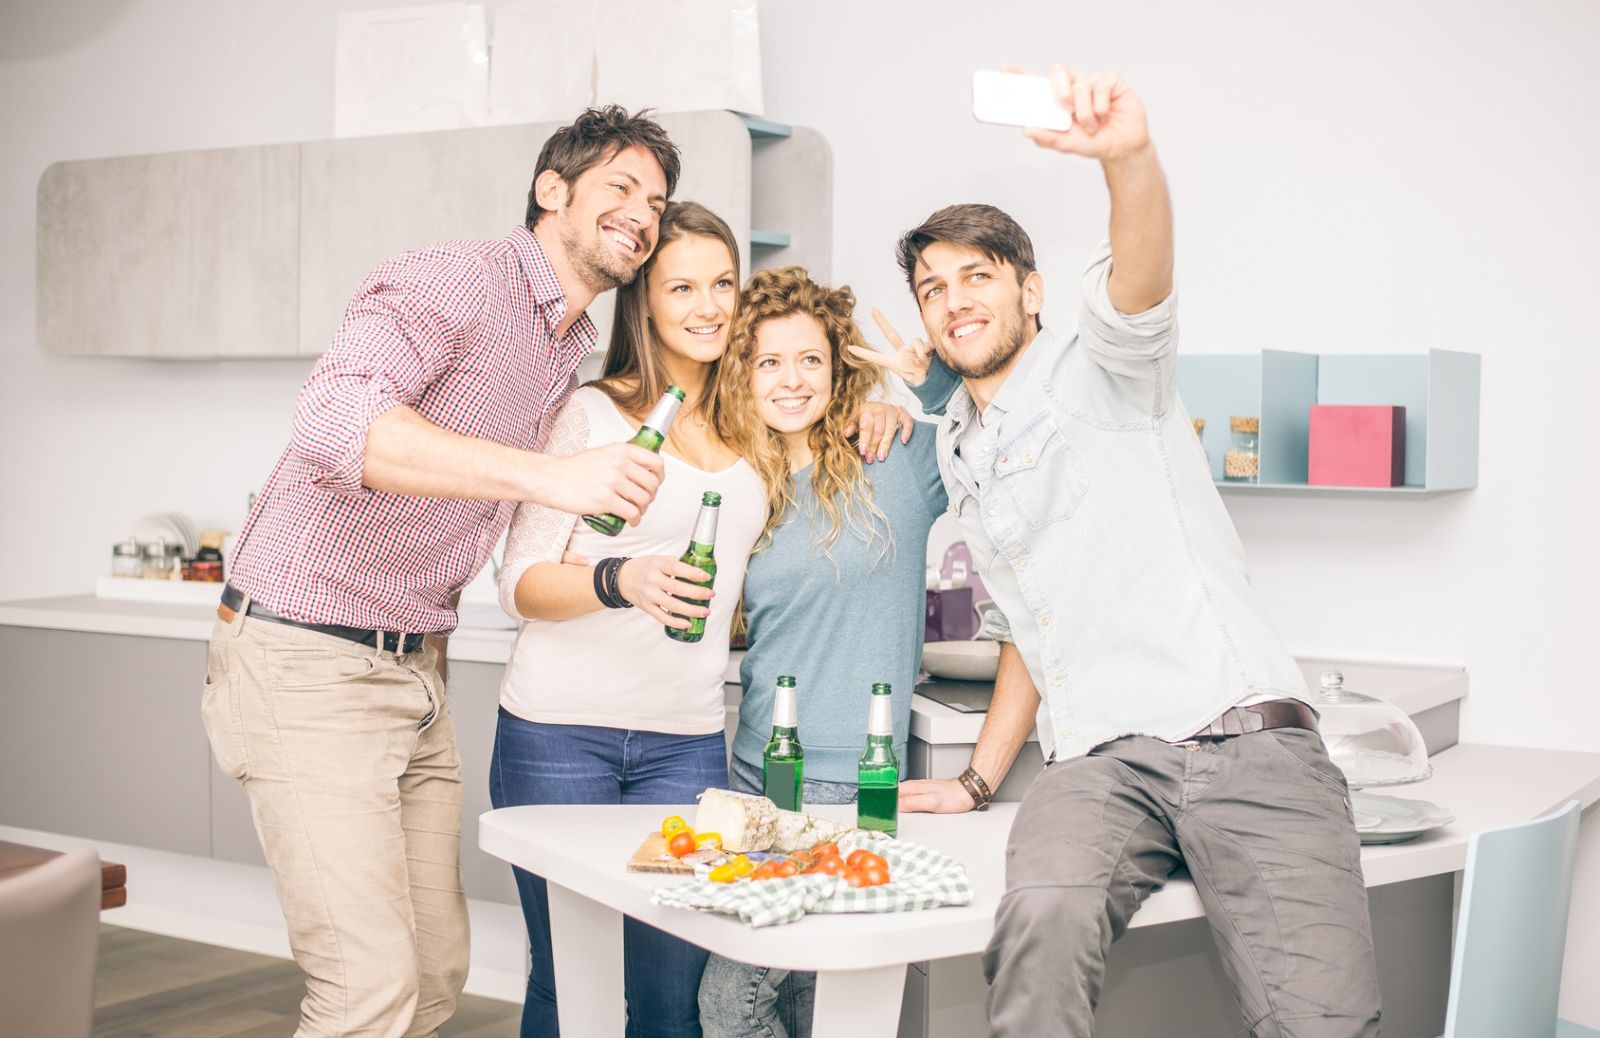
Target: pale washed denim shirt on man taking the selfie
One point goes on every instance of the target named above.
(1089, 508)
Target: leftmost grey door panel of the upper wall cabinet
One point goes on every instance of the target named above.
(183, 255)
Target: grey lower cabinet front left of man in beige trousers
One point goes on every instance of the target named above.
(103, 738)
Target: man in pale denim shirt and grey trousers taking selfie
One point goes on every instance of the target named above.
(1172, 714)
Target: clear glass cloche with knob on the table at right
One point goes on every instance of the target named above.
(1370, 740)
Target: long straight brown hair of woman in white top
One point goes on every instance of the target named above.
(634, 356)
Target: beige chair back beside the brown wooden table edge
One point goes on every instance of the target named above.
(49, 943)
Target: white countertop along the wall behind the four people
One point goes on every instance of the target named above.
(487, 636)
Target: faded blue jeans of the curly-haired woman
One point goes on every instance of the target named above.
(761, 1002)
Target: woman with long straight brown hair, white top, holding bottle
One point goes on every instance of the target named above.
(599, 705)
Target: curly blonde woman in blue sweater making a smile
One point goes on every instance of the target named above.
(834, 593)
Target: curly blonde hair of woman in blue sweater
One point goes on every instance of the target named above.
(838, 476)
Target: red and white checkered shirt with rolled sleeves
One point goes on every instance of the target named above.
(463, 333)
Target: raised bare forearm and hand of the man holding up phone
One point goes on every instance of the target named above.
(1108, 124)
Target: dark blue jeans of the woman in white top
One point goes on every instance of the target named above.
(585, 765)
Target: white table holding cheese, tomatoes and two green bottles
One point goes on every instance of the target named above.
(862, 959)
